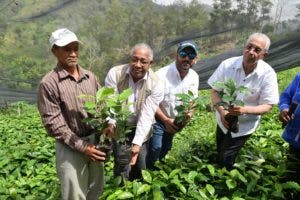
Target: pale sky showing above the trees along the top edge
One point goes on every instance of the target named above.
(289, 10)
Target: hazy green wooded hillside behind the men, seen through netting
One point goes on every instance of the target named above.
(108, 29)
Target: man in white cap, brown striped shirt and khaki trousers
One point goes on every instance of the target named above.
(78, 163)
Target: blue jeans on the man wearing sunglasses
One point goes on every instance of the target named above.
(160, 144)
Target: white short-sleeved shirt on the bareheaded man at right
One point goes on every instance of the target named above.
(262, 83)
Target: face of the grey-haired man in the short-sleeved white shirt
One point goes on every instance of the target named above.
(254, 50)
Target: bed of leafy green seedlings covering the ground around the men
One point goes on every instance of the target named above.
(188, 172)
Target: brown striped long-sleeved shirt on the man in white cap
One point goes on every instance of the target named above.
(61, 109)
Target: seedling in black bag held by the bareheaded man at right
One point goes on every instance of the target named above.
(228, 92)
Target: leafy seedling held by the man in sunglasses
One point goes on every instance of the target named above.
(186, 104)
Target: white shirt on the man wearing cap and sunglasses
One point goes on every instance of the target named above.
(173, 85)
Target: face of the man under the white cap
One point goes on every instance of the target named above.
(67, 56)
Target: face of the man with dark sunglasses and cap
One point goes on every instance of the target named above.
(185, 59)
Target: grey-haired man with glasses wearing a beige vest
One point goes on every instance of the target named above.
(147, 94)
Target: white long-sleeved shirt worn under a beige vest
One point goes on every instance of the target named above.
(146, 118)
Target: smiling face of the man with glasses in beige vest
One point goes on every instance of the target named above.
(140, 63)
